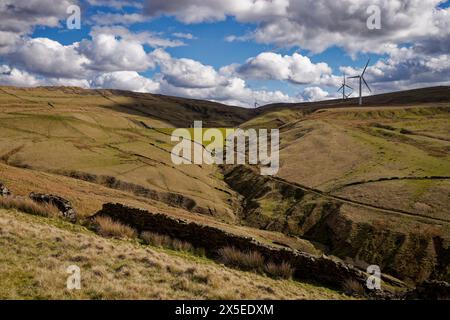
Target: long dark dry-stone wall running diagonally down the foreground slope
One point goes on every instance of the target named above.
(323, 269)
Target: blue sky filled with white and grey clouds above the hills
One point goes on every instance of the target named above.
(237, 52)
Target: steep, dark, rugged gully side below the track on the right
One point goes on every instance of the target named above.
(410, 248)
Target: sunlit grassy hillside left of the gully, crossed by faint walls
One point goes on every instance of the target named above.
(68, 130)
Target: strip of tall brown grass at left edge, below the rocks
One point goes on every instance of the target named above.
(29, 206)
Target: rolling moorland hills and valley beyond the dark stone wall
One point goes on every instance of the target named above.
(366, 185)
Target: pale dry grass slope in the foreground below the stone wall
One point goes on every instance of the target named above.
(36, 253)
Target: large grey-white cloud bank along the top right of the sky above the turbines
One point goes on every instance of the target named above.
(318, 24)
